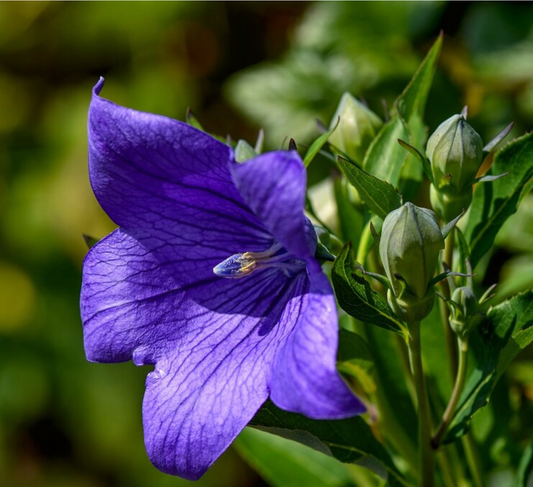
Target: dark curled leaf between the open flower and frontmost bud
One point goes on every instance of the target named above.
(356, 296)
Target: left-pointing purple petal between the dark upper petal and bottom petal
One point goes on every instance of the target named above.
(134, 301)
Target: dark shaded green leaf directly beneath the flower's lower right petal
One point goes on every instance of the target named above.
(348, 440)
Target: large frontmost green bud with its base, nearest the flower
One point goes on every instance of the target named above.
(410, 243)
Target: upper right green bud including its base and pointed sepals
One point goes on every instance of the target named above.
(455, 152)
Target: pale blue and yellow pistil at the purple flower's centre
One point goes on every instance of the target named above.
(241, 265)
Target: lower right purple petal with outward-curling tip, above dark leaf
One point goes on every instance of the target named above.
(305, 379)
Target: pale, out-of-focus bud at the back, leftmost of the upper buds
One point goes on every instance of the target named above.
(357, 127)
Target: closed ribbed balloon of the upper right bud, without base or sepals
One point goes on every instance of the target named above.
(455, 151)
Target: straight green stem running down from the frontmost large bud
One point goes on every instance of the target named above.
(426, 453)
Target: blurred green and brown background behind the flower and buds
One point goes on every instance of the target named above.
(240, 67)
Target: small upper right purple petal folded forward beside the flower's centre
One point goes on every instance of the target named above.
(274, 185)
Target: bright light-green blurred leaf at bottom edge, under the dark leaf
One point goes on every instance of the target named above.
(284, 463)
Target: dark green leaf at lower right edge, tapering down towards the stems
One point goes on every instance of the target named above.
(507, 329)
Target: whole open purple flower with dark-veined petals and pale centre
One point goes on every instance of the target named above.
(210, 278)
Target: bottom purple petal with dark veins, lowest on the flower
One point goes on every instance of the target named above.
(204, 391)
